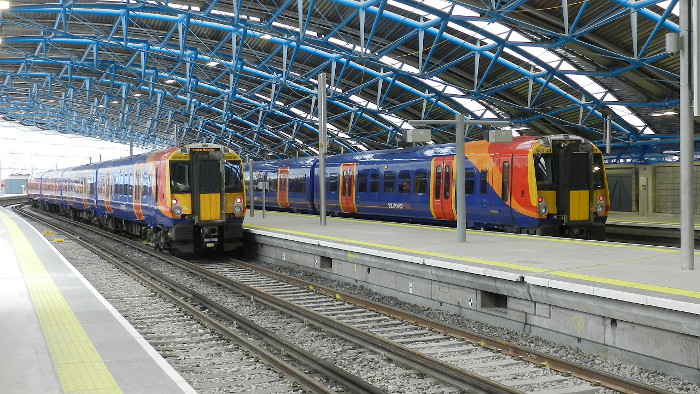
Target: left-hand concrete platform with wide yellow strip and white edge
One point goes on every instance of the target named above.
(58, 334)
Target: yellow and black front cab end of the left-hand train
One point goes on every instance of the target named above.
(207, 199)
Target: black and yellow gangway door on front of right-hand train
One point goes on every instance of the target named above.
(574, 190)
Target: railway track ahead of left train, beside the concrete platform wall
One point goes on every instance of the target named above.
(462, 360)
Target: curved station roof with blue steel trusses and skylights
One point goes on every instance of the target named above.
(244, 72)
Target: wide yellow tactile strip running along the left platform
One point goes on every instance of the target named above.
(78, 365)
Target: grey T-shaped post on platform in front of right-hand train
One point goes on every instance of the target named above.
(460, 124)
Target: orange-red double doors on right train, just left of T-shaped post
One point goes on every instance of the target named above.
(441, 188)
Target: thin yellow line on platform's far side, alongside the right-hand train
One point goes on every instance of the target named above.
(497, 234)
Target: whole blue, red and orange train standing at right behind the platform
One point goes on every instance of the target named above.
(508, 186)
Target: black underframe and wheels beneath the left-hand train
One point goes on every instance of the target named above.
(183, 238)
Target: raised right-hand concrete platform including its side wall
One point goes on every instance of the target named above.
(626, 302)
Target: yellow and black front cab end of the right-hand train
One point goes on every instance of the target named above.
(572, 192)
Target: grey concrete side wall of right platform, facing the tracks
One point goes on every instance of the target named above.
(652, 332)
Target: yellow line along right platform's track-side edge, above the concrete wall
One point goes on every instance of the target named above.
(589, 278)
